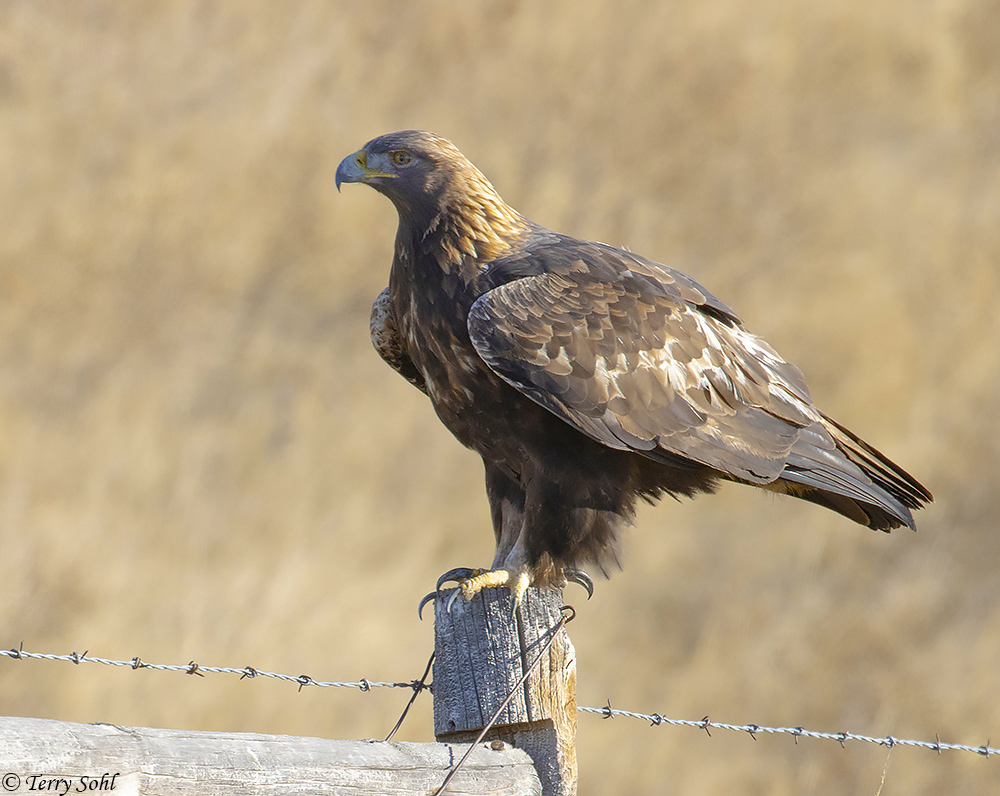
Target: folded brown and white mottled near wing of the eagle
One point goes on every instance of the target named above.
(640, 357)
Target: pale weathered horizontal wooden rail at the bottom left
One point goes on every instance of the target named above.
(178, 762)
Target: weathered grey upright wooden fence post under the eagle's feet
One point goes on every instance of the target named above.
(482, 648)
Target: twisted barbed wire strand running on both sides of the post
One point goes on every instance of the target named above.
(607, 712)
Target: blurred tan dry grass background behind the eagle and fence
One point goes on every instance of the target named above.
(201, 456)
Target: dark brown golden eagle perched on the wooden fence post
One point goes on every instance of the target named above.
(587, 376)
